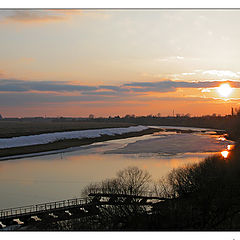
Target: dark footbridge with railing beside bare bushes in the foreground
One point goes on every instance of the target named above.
(70, 208)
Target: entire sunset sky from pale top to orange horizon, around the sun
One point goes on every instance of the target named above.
(73, 63)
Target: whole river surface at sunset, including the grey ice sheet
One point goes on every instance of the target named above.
(62, 176)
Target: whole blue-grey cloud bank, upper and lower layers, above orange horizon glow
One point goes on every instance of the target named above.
(15, 92)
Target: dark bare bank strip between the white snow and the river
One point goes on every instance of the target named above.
(17, 152)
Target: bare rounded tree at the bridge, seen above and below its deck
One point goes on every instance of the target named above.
(131, 180)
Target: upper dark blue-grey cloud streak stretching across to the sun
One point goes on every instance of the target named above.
(14, 85)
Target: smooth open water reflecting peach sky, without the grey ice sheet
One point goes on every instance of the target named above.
(62, 176)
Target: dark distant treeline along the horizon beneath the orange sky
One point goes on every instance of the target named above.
(230, 123)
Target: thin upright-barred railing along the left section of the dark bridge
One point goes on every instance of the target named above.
(42, 207)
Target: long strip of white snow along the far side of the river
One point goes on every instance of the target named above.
(52, 137)
